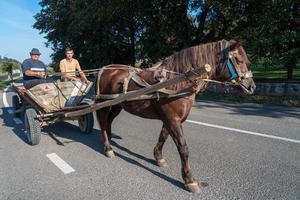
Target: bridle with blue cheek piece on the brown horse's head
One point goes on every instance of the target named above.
(236, 75)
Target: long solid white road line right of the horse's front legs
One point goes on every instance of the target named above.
(244, 131)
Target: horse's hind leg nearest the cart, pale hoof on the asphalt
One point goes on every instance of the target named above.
(102, 116)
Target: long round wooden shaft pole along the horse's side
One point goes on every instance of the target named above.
(200, 72)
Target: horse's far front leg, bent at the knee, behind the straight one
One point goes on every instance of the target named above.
(161, 161)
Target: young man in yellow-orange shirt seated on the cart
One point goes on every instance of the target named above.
(69, 66)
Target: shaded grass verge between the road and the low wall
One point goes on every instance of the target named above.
(259, 99)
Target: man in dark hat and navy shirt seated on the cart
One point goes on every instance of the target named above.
(34, 71)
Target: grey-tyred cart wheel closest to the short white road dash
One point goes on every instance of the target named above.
(32, 127)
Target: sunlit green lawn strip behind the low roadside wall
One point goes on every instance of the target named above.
(275, 74)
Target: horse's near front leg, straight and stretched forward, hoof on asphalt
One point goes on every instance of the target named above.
(175, 130)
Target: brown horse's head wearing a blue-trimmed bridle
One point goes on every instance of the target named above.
(234, 67)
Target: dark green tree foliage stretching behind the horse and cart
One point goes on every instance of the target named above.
(125, 31)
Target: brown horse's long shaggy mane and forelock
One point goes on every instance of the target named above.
(196, 56)
